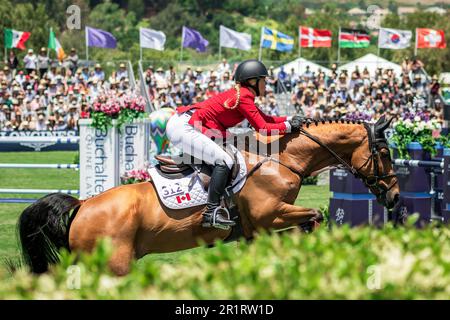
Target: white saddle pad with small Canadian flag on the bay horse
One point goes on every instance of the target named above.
(177, 194)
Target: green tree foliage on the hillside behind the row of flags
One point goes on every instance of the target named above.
(123, 18)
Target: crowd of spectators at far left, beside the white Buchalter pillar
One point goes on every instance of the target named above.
(38, 93)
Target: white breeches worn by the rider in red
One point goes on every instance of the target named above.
(192, 142)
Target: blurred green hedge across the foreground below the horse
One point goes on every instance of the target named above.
(344, 263)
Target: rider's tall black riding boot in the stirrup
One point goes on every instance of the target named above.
(213, 216)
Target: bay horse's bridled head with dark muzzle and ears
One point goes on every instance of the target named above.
(374, 164)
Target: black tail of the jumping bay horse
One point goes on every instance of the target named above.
(44, 229)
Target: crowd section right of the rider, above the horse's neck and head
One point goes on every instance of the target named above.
(365, 95)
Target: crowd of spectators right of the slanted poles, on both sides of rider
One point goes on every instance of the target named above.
(313, 94)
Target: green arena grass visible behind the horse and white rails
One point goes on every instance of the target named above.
(310, 196)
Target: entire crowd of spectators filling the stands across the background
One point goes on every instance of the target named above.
(40, 94)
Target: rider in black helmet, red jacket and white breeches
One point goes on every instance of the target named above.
(197, 129)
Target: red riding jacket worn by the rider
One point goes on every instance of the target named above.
(212, 114)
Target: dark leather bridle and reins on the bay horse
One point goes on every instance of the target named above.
(376, 143)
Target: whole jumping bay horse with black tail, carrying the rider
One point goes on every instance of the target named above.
(133, 217)
